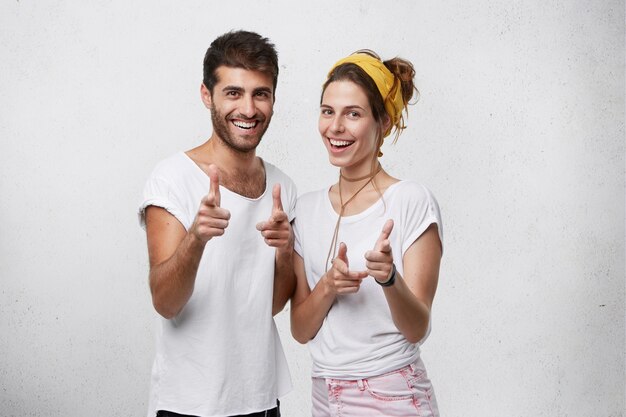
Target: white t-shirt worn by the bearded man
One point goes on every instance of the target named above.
(221, 355)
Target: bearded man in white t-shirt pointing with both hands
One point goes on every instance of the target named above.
(220, 245)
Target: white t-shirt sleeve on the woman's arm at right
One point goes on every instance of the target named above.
(420, 211)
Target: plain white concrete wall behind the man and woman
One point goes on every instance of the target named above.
(519, 132)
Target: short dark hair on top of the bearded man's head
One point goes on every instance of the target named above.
(240, 49)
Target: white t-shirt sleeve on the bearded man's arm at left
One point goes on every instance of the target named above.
(160, 193)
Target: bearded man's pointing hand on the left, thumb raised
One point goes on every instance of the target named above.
(211, 219)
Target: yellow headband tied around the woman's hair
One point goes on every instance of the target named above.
(384, 80)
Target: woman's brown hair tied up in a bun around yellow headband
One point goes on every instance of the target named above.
(403, 72)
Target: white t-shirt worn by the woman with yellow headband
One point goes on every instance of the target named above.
(358, 338)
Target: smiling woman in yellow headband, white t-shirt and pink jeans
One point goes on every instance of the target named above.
(367, 254)
